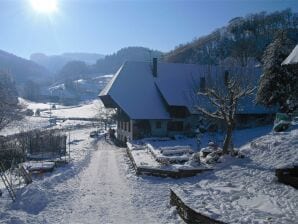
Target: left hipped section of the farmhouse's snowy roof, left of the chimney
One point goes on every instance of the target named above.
(133, 89)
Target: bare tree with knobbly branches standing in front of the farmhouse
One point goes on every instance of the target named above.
(223, 98)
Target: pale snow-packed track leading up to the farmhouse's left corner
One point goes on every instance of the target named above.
(104, 194)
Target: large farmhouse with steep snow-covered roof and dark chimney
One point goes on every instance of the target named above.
(158, 99)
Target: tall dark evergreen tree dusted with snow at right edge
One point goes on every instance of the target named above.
(277, 85)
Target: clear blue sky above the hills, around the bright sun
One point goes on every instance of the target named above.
(99, 26)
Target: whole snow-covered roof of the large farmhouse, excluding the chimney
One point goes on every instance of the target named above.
(142, 96)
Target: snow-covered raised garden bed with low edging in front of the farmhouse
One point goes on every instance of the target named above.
(166, 161)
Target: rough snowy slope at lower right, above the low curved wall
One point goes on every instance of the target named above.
(246, 190)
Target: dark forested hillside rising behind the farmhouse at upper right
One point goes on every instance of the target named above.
(244, 39)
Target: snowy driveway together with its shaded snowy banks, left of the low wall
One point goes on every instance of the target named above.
(98, 186)
